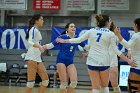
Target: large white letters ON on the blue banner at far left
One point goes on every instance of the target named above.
(14, 38)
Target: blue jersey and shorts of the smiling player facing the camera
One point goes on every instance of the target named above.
(66, 53)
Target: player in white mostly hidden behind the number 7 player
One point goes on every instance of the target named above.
(114, 65)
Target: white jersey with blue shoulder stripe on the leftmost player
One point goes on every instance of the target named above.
(34, 38)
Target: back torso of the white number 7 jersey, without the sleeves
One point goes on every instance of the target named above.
(99, 45)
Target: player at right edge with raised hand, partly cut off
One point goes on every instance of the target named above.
(134, 44)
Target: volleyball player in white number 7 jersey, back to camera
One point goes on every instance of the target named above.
(98, 60)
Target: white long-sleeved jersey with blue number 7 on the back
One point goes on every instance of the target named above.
(100, 40)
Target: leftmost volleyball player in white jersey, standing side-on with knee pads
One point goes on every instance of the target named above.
(33, 55)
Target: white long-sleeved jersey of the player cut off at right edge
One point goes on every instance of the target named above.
(134, 44)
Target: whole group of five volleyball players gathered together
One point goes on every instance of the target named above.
(102, 61)
